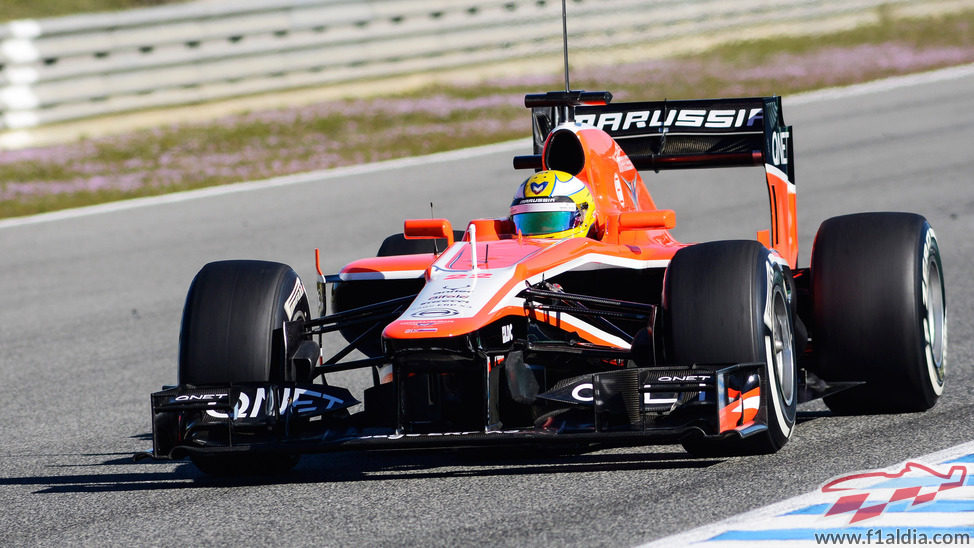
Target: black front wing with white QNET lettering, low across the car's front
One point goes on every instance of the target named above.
(616, 408)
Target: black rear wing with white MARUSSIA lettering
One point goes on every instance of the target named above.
(658, 135)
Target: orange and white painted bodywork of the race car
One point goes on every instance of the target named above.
(474, 283)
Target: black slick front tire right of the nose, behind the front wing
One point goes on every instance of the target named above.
(729, 302)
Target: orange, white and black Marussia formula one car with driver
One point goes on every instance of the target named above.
(577, 321)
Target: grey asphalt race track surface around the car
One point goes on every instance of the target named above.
(89, 319)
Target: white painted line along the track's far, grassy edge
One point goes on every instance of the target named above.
(878, 86)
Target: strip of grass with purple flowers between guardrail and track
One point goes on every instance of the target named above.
(264, 144)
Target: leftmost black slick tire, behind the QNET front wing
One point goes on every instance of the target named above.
(232, 332)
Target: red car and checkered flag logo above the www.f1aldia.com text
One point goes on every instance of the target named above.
(867, 495)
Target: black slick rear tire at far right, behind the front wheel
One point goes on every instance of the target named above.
(879, 308)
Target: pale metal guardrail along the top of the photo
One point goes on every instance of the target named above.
(59, 69)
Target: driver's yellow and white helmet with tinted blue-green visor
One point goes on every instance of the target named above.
(553, 204)
